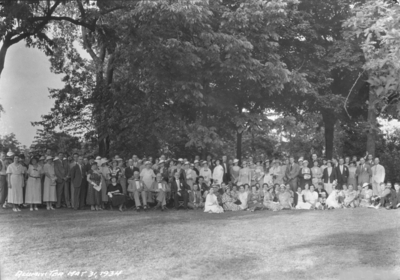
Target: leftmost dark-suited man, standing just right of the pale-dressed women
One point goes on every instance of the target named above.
(61, 169)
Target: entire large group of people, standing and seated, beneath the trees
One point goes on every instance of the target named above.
(212, 185)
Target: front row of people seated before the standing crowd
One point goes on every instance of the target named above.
(220, 198)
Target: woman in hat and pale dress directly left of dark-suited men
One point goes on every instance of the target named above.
(49, 191)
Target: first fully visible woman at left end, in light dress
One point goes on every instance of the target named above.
(15, 173)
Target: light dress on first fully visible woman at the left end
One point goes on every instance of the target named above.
(15, 194)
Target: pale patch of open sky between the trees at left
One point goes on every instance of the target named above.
(24, 94)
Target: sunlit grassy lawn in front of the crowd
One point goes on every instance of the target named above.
(337, 244)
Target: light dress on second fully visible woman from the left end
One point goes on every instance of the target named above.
(33, 193)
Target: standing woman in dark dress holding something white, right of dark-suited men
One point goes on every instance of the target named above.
(94, 189)
